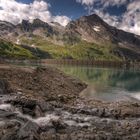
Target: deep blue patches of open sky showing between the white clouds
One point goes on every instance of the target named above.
(74, 9)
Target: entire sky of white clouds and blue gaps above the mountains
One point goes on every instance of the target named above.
(123, 14)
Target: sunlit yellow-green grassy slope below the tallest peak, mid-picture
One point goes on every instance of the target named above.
(82, 50)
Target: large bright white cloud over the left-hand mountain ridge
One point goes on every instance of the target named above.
(14, 12)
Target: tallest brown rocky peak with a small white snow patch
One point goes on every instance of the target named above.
(93, 29)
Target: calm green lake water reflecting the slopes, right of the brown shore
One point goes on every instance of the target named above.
(107, 84)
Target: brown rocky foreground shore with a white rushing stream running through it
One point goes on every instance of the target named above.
(44, 104)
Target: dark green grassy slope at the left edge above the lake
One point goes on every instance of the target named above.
(9, 50)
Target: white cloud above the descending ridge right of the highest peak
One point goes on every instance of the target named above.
(130, 20)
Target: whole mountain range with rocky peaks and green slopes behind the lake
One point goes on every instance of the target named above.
(88, 37)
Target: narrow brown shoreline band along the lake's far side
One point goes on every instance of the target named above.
(98, 63)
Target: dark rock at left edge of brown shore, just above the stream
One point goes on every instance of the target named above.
(4, 86)
